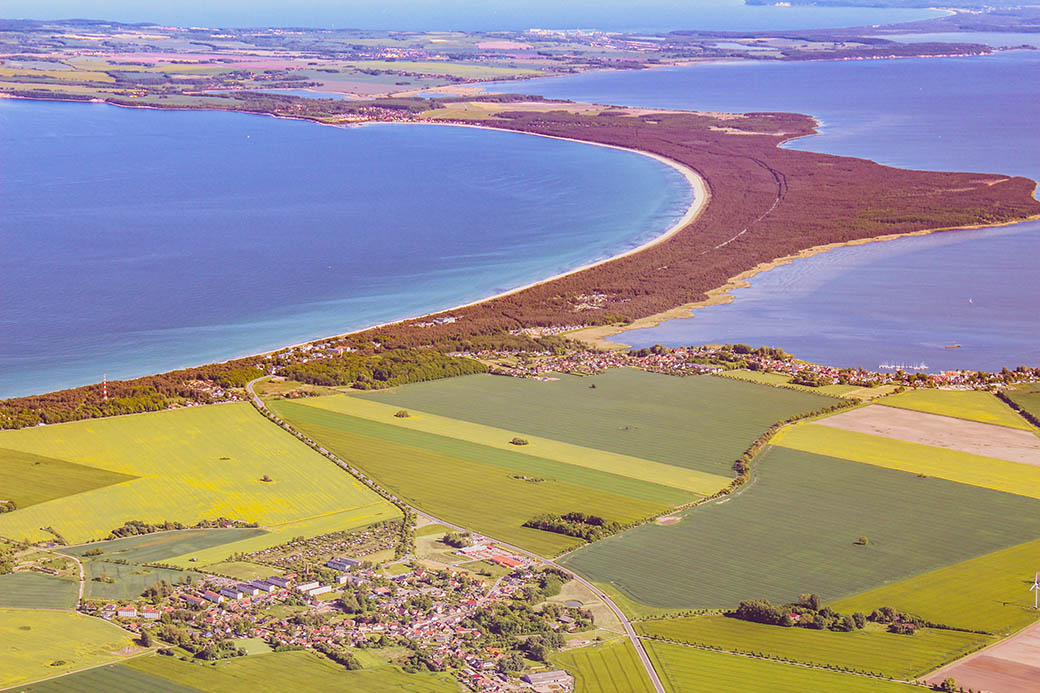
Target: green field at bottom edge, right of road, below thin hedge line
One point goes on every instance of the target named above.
(688, 670)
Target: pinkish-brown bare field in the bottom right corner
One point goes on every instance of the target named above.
(1012, 666)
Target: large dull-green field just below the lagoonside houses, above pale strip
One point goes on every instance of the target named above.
(698, 423)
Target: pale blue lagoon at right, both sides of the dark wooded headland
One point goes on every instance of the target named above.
(903, 301)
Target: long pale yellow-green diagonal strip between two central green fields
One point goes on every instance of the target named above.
(623, 466)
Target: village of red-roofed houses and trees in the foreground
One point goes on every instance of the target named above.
(490, 627)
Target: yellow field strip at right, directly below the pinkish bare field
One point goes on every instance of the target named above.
(916, 458)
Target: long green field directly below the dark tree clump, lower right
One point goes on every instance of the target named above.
(875, 652)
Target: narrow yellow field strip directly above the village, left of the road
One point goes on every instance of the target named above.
(314, 527)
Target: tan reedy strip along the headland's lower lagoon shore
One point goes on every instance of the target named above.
(600, 337)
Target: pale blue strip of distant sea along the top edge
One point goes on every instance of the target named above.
(463, 15)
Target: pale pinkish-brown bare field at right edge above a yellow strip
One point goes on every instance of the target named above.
(958, 434)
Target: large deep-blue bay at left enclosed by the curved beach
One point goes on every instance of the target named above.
(136, 242)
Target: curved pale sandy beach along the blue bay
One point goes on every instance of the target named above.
(703, 196)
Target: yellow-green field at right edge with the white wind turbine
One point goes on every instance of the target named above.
(985, 594)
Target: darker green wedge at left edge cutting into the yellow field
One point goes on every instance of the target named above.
(29, 479)
